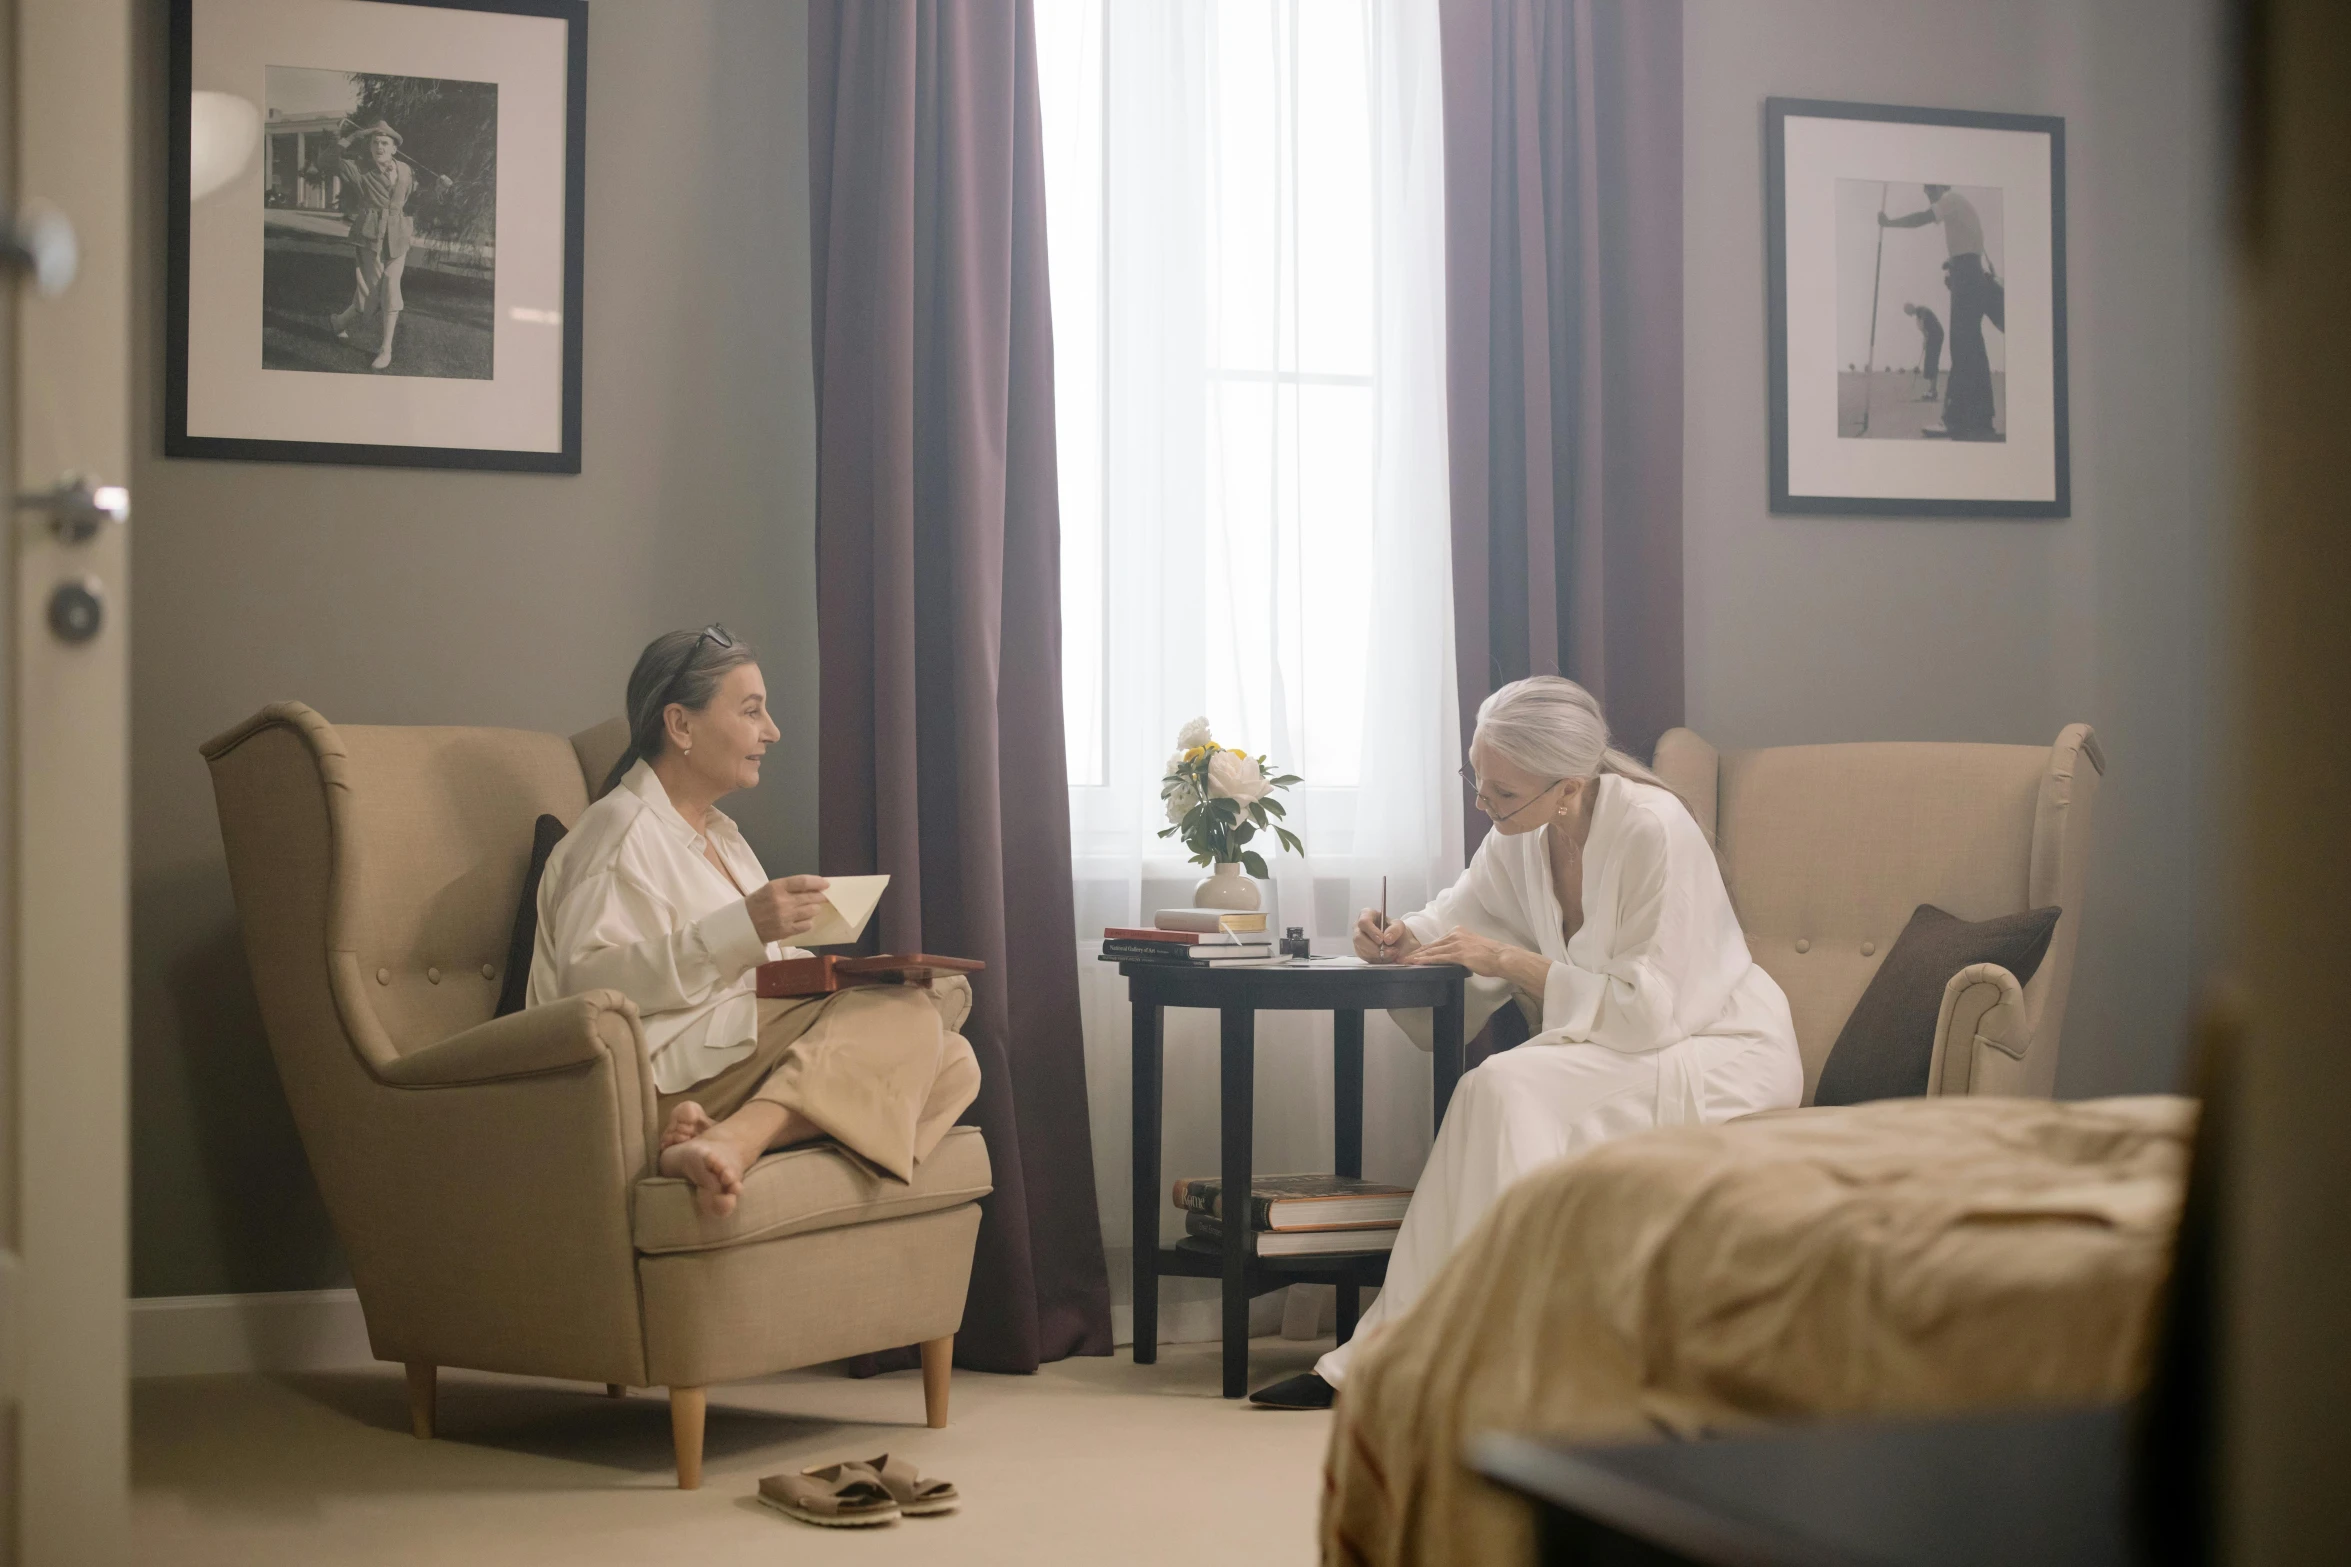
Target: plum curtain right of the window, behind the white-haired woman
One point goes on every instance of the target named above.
(1565, 351)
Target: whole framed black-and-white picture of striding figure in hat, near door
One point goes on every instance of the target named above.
(375, 236)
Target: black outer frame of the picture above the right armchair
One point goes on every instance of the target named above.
(1776, 194)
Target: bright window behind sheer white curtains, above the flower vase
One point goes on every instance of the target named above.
(1224, 309)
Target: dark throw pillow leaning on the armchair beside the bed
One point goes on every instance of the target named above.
(1889, 1044)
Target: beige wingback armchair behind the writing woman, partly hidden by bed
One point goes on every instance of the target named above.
(1828, 849)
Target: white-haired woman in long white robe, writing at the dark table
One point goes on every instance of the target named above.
(1600, 906)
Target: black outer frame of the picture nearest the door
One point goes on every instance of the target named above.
(370, 455)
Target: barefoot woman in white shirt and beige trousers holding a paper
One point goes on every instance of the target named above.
(657, 896)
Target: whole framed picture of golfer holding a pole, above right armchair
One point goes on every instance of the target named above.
(1917, 311)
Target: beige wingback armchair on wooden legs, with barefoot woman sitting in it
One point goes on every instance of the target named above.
(493, 1181)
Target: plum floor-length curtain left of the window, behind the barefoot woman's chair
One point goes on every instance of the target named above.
(939, 598)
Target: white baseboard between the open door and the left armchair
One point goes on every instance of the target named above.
(196, 1336)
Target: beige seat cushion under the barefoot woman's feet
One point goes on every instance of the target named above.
(810, 1188)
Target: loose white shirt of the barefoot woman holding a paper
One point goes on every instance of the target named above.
(631, 903)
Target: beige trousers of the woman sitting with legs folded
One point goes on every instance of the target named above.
(880, 1070)
